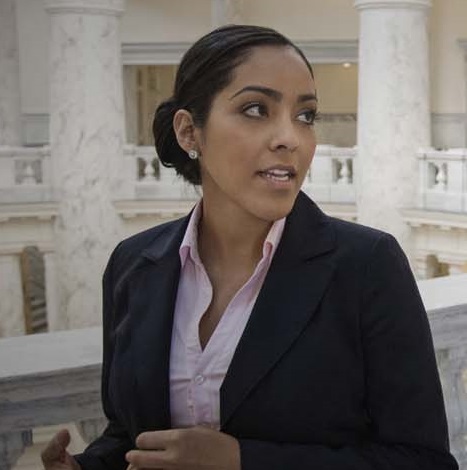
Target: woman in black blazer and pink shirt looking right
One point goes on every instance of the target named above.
(258, 333)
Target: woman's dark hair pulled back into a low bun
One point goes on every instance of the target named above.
(207, 68)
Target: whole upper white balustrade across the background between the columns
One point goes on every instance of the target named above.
(26, 176)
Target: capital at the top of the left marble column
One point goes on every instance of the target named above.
(96, 7)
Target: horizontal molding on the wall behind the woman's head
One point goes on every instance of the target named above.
(168, 53)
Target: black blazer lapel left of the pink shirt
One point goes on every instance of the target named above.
(152, 293)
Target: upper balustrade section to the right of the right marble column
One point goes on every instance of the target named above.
(443, 180)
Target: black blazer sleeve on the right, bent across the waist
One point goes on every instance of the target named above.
(404, 400)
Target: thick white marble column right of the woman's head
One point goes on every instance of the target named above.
(393, 110)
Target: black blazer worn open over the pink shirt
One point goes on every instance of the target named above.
(335, 369)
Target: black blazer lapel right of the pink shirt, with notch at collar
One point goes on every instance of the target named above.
(294, 285)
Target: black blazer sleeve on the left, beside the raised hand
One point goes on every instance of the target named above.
(108, 451)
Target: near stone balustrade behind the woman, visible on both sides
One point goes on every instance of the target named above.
(54, 378)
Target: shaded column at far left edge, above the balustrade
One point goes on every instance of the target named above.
(10, 109)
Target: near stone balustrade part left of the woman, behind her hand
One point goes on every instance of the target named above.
(48, 379)
